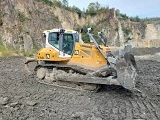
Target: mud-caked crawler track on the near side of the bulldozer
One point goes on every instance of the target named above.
(51, 74)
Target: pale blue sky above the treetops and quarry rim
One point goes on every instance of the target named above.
(132, 8)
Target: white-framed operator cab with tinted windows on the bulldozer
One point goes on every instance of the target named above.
(62, 41)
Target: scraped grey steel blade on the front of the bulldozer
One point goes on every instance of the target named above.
(126, 75)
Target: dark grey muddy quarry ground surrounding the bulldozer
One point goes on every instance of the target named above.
(22, 98)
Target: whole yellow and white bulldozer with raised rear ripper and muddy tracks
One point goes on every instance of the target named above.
(67, 61)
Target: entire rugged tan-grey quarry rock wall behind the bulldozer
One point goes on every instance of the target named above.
(22, 24)
